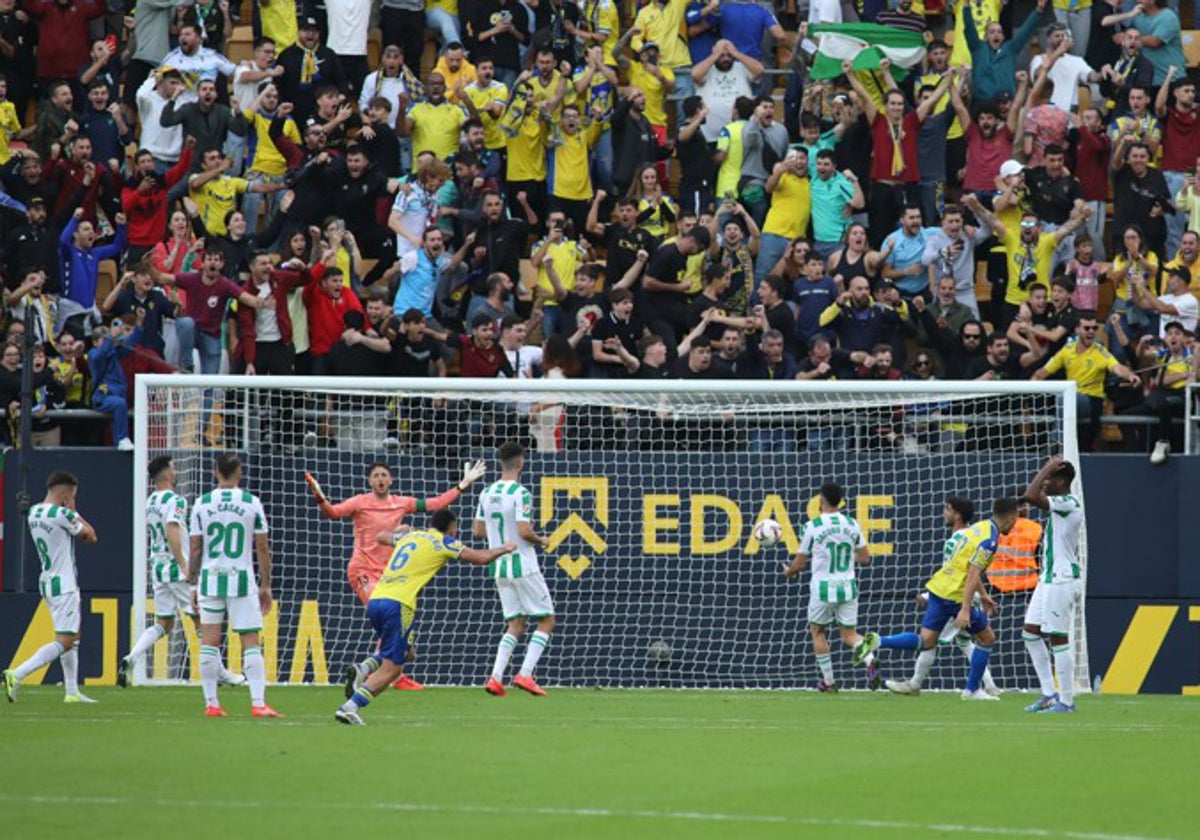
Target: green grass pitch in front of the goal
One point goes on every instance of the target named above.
(596, 764)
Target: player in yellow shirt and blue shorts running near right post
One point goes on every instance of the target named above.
(967, 556)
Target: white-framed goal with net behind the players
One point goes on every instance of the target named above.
(649, 494)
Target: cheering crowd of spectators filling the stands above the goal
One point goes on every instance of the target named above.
(597, 189)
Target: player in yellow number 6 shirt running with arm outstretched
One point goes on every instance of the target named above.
(418, 556)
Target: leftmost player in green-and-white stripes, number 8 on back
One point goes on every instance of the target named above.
(53, 526)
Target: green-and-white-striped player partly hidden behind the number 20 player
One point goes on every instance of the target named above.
(166, 526)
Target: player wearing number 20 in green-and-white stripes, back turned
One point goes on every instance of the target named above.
(229, 530)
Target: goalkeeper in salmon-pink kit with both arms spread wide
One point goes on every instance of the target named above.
(381, 511)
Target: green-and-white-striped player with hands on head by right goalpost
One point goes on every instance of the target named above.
(1052, 611)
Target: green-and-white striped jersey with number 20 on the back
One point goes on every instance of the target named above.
(226, 523)
